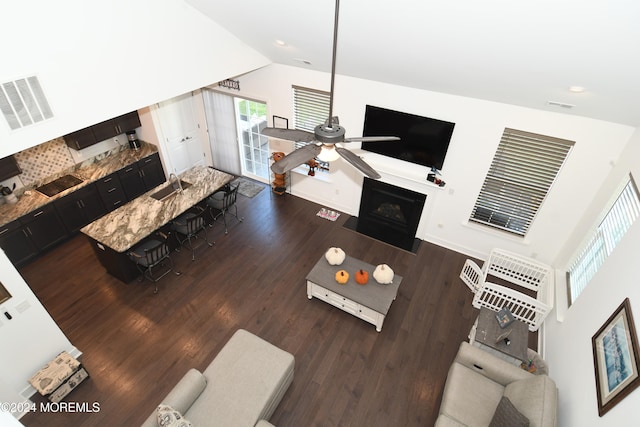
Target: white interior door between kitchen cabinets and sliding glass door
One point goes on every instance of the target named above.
(180, 126)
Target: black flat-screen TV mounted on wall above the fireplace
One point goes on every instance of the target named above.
(423, 140)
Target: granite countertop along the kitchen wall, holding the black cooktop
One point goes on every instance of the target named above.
(31, 200)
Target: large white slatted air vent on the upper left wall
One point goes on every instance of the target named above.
(23, 103)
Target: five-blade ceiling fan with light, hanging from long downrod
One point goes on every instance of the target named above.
(326, 137)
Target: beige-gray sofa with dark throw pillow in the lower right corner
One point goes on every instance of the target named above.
(476, 383)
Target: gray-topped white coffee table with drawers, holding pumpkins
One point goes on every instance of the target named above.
(370, 302)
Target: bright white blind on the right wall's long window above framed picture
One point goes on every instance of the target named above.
(617, 221)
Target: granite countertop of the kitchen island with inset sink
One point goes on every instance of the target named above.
(127, 225)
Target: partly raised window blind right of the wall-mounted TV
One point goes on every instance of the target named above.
(522, 171)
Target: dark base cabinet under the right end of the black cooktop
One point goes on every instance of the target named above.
(80, 208)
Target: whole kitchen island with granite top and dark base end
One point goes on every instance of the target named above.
(117, 232)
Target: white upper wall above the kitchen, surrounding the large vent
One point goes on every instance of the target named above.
(97, 60)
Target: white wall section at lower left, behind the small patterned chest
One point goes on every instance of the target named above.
(29, 340)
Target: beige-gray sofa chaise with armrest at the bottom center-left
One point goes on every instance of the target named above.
(241, 387)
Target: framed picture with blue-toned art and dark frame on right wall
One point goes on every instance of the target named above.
(616, 358)
